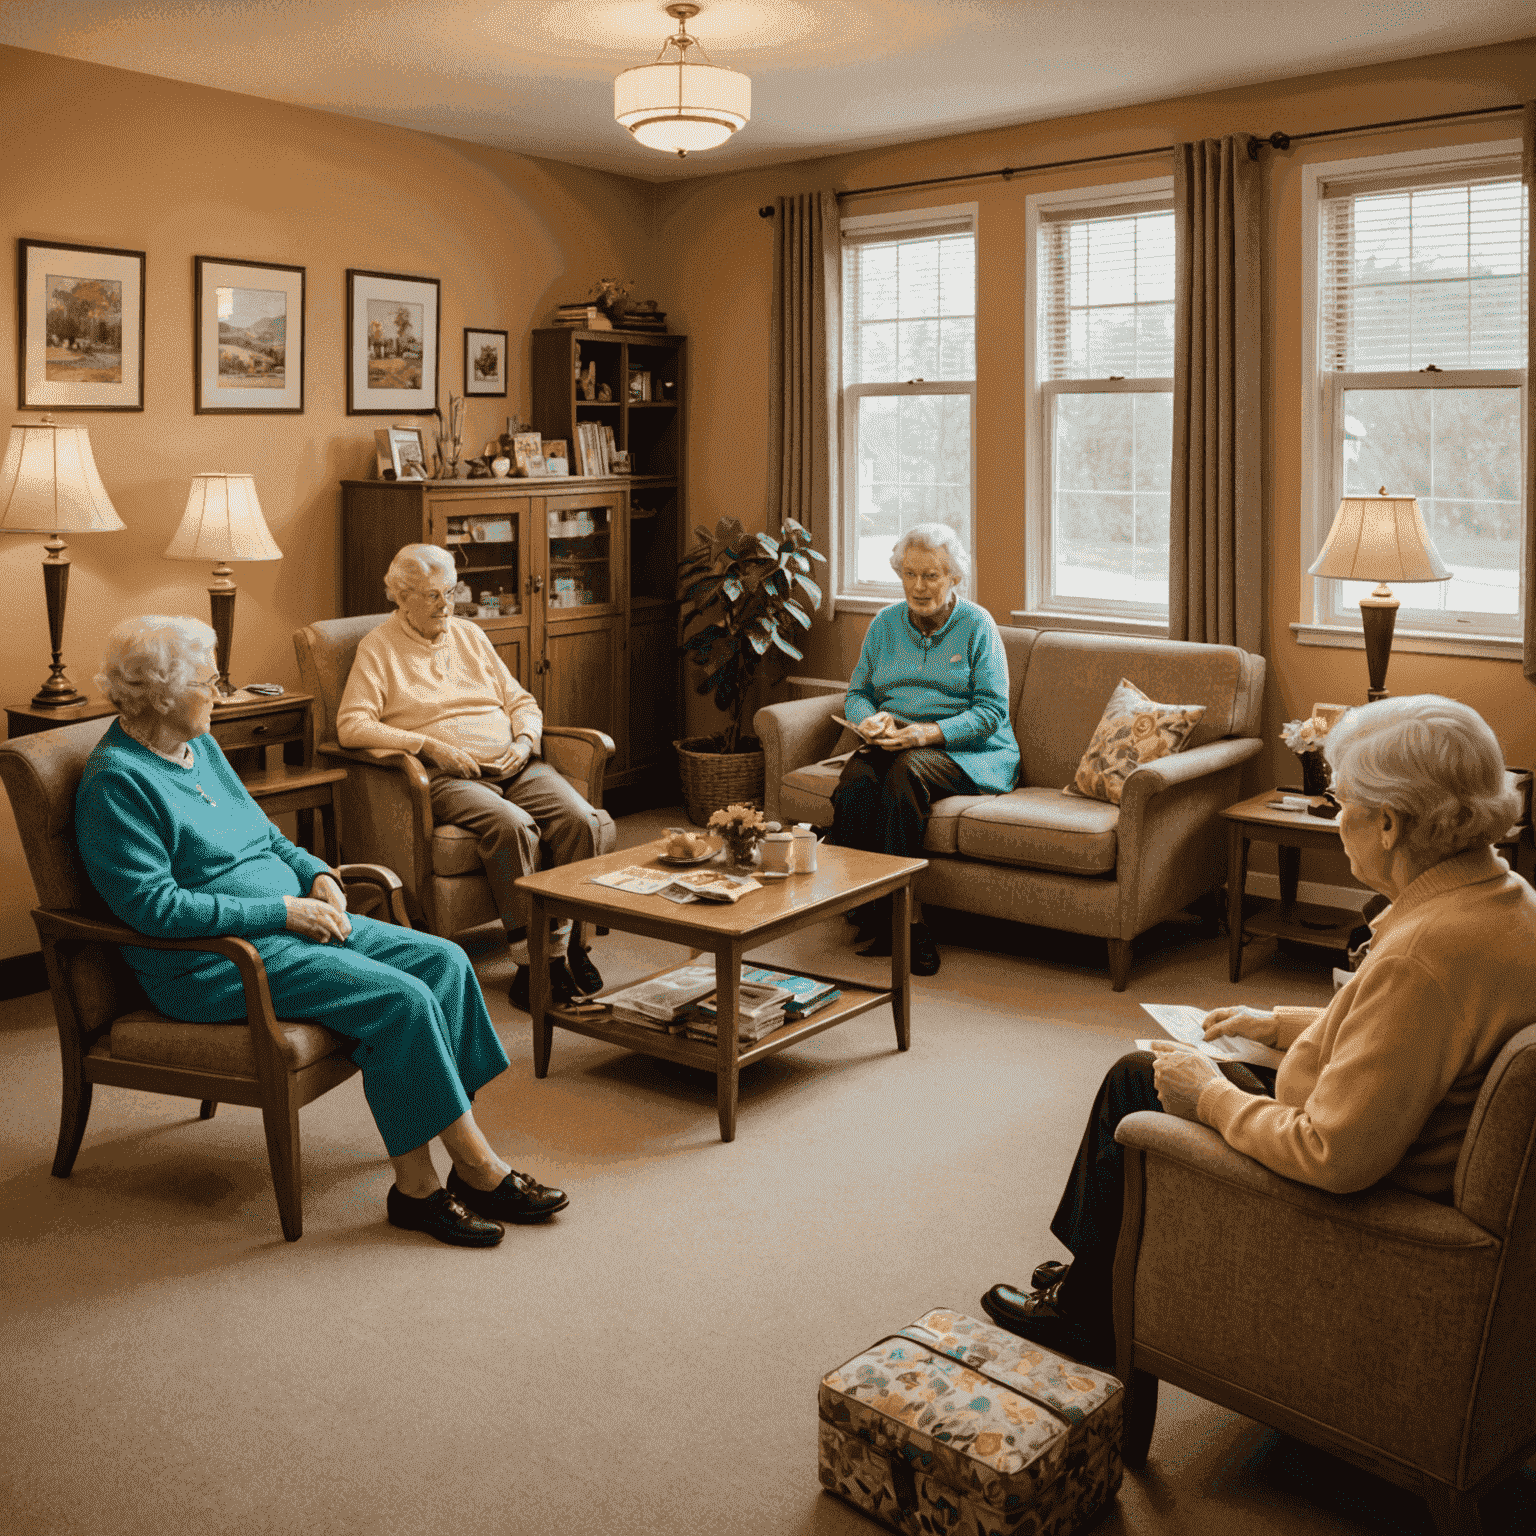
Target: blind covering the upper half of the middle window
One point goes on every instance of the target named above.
(1108, 294)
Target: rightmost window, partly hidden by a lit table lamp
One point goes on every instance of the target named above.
(1420, 270)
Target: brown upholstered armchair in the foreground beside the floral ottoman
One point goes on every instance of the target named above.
(1388, 1329)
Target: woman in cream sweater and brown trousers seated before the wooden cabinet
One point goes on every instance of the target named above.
(431, 684)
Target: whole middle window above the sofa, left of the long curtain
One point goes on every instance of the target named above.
(1102, 403)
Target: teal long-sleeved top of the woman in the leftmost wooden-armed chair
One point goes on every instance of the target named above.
(184, 853)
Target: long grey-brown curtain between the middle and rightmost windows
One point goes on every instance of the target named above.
(1216, 531)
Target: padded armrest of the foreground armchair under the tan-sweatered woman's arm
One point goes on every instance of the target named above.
(1382, 1213)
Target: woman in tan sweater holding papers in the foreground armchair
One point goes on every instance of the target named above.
(1382, 1084)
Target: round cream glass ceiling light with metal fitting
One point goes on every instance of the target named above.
(677, 105)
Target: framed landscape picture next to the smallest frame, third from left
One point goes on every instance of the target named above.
(392, 345)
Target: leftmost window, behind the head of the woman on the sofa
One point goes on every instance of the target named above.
(909, 386)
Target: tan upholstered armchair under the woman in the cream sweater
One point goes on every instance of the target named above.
(386, 804)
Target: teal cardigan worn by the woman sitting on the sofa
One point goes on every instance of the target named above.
(956, 680)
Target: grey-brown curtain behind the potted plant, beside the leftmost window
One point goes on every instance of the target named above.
(804, 374)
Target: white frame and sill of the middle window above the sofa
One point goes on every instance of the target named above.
(1042, 609)
